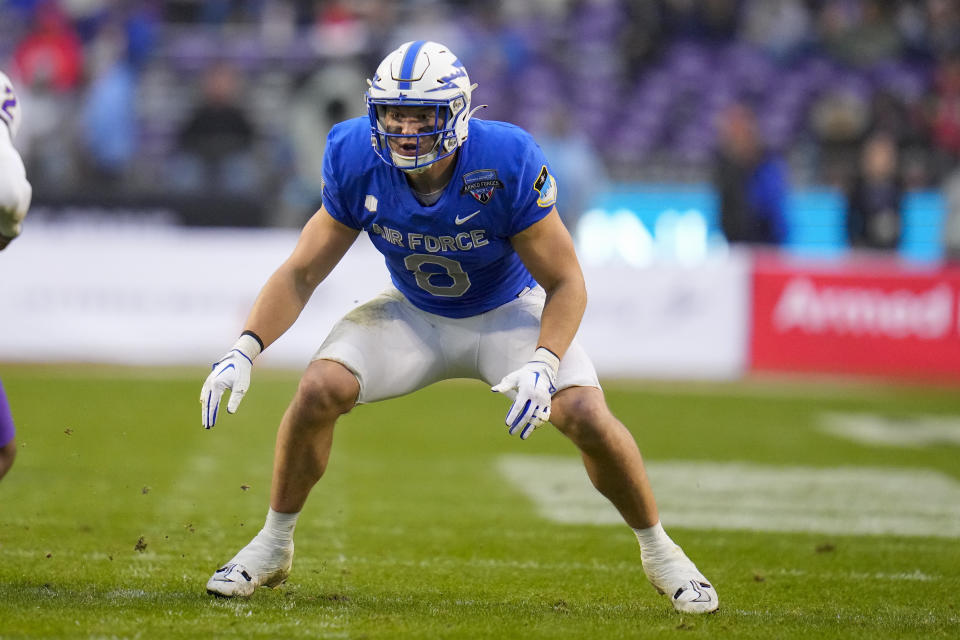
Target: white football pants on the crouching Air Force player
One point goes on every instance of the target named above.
(394, 348)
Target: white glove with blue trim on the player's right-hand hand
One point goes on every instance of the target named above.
(535, 383)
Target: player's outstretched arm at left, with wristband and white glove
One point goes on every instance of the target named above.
(323, 242)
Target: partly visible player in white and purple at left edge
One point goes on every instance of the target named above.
(15, 194)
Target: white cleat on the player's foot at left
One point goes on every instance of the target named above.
(261, 563)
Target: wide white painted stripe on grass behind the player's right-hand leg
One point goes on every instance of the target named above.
(708, 495)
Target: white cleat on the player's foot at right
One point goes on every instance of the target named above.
(672, 573)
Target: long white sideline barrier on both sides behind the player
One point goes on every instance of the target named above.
(172, 295)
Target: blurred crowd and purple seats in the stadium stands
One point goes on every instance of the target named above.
(235, 97)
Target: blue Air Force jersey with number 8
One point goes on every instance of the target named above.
(454, 257)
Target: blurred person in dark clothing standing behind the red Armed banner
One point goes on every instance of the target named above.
(875, 196)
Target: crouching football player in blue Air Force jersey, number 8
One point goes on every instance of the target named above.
(486, 285)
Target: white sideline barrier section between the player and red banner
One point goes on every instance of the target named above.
(668, 320)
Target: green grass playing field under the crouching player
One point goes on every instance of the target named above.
(120, 506)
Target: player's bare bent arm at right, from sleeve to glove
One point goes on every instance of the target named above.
(547, 251)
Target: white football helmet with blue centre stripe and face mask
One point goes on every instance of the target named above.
(421, 74)
